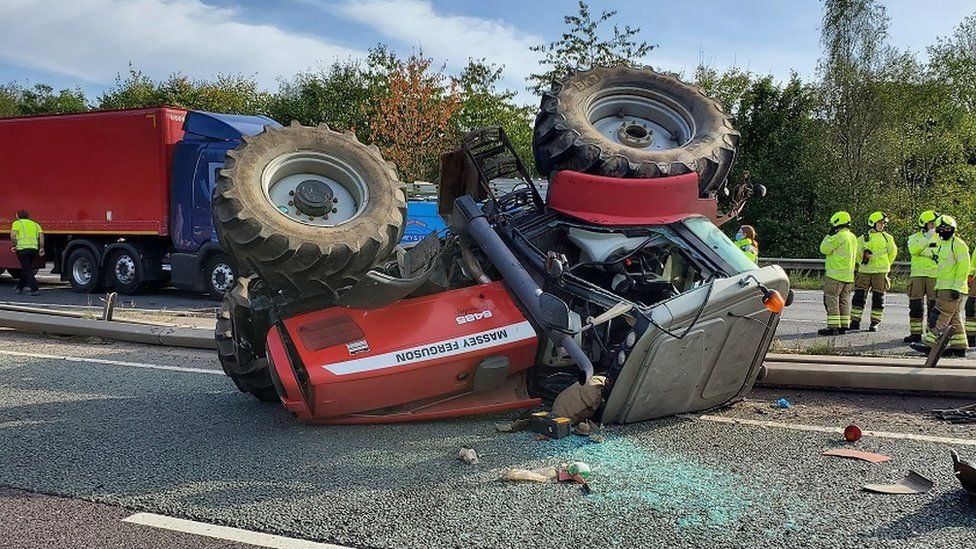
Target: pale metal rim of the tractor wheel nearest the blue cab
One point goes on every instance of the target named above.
(314, 188)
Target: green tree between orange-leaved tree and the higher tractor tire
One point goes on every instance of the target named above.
(483, 104)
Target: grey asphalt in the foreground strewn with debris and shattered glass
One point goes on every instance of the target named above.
(182, 442)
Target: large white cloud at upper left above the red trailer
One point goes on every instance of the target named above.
(95, 39)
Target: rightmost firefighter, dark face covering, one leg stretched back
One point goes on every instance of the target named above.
(951, 278)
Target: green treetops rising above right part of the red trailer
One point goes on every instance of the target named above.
(222, 93)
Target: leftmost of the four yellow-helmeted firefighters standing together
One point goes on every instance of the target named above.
(840, 248)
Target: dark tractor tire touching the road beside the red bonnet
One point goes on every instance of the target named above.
(250, 373)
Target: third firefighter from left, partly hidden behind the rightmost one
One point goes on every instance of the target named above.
(921, 285)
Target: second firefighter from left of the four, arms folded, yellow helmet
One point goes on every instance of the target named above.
(876, 250)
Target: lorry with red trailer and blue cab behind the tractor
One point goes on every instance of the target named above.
(123, 196)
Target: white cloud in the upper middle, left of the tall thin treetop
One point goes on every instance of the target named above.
(450, 39)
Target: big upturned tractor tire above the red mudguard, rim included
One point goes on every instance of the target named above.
(627, 122)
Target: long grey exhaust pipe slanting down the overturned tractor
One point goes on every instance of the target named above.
(472, 221)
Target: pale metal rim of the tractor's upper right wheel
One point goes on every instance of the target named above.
(640, 119)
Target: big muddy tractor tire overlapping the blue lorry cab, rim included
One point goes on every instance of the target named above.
(308, 209)
